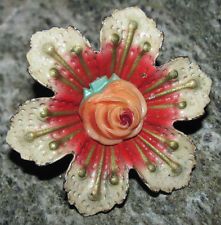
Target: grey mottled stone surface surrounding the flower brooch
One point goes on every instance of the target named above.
(34, 195)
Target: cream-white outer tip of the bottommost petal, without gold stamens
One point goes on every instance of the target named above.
(79, 190)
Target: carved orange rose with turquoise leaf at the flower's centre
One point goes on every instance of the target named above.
(112, 110)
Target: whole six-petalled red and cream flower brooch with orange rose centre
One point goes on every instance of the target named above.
(113, 110)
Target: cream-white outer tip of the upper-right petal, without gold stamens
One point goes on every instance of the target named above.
(196, 98)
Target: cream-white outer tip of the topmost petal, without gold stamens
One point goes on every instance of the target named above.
(146, 31)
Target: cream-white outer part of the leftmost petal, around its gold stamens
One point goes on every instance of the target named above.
(28, 120)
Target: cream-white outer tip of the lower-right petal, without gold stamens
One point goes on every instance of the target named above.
(163, 178)
